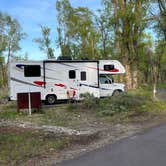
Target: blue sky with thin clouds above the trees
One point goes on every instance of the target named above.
(31, 14)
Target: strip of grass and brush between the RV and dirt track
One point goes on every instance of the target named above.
(134, 105)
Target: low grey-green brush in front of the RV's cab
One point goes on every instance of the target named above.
(110, 106)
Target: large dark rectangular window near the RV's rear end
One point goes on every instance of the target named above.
(32, 71)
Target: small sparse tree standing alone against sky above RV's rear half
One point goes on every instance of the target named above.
(45, 42)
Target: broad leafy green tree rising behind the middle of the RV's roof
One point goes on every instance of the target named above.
(77, 34)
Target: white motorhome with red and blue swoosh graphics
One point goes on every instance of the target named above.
(64, 79)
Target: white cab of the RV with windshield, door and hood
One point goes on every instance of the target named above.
(108, 87)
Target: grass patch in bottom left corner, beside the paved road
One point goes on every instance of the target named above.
(19, 145)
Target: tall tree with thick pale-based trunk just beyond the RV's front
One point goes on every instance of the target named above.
(129, 25)
